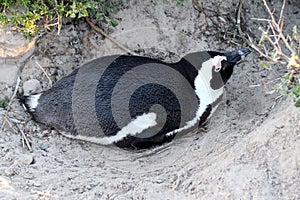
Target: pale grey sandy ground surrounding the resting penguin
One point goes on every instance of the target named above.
(250, 150)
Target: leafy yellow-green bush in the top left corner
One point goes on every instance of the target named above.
(26, 15)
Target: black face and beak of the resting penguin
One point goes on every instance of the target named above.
(230, 59)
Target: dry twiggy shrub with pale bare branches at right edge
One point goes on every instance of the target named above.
(283, 49)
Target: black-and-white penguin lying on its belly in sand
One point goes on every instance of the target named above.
(135, 102)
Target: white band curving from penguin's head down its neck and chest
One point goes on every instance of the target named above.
(204, 91)
